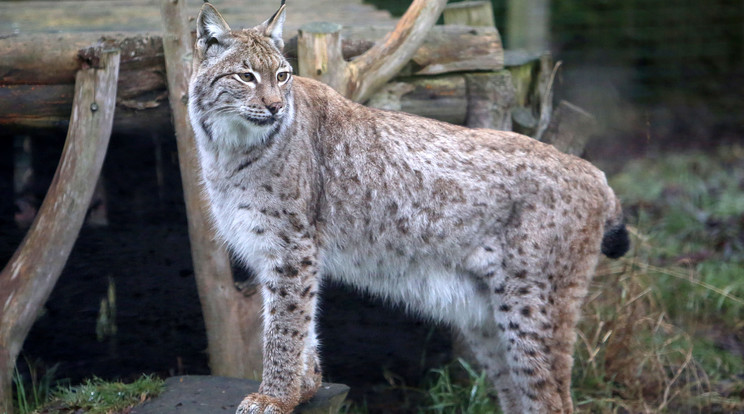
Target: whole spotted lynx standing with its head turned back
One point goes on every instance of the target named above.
(492, 232)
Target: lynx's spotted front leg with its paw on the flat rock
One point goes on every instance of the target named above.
(291, 373)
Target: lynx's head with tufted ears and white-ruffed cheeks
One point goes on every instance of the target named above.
(240, 91)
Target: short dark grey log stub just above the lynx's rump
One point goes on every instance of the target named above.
(570, 128)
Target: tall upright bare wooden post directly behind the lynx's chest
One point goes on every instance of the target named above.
(231, 318)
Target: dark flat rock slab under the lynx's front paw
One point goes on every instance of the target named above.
(194, 394)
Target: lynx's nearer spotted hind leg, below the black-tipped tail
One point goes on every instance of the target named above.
(537, 294)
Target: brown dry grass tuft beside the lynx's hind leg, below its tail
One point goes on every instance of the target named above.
(630, 357)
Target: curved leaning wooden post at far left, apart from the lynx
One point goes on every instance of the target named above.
(28, 279)
